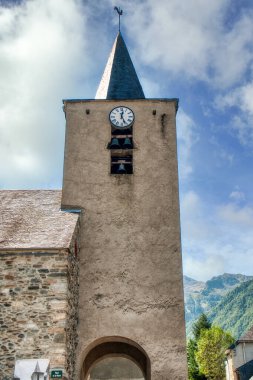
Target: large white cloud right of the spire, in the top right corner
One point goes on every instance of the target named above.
(192, 40)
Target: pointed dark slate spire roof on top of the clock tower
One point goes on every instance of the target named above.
(119, 80)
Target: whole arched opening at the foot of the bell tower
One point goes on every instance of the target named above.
(116, 360)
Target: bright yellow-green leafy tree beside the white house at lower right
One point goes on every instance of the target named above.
(210, 353)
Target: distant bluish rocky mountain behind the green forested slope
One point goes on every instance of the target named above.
(204, 297)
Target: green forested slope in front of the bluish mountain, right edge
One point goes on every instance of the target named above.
(234, 313)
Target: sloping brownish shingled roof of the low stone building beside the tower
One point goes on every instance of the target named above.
(32, 219)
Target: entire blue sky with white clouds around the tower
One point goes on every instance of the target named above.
(199, 51)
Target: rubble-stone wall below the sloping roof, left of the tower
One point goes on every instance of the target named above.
(38, 314)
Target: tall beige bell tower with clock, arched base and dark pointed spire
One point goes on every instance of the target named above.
(120, 169)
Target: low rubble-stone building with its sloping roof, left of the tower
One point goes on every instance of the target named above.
(39, 246)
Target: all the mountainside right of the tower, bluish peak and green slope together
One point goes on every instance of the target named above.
(226, 299)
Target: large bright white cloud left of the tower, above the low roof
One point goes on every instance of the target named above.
(39, 64)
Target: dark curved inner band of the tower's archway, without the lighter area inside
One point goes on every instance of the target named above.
(115, 347)
